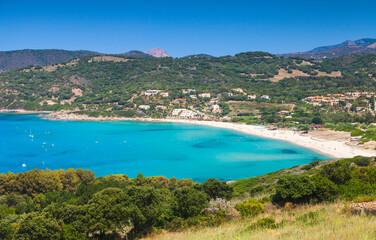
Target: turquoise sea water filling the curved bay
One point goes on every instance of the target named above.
(153, 149)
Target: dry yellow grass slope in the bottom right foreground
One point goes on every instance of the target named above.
(329, 223)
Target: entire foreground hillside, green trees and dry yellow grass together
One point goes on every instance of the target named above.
(74, 204)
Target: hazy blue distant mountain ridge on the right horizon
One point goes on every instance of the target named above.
(365, 45)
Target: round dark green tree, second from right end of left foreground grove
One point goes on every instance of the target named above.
(188, 202)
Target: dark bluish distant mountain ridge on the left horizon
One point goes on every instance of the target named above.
(21, 58)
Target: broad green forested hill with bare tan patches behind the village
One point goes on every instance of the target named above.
(114, 80)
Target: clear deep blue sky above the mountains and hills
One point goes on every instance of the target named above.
(183, 27)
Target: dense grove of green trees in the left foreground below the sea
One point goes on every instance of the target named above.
(73, 204)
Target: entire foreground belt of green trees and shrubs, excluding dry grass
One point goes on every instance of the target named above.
(74, 204)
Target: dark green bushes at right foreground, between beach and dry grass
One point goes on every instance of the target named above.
(346, 179)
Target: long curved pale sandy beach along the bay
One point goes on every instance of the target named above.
(336, 148)
